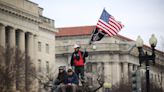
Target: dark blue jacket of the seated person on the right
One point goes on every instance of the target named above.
(71, 79)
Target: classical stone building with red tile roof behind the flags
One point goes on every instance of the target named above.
(115, 57)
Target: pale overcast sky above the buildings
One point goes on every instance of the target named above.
(140, 17)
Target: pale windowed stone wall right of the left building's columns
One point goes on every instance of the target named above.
(46, 38)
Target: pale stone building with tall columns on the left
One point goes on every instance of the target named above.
(23, 26)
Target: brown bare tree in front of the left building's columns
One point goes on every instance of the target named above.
(12, 70)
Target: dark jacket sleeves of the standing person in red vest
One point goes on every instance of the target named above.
(84, 55)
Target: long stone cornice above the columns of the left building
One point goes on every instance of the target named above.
(19, 13)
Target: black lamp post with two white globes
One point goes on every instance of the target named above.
(145, 58)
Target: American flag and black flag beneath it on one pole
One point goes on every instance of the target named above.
(105, 25)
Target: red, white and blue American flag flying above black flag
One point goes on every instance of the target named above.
(108, 24)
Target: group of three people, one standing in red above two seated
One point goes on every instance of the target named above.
(70, 78)
